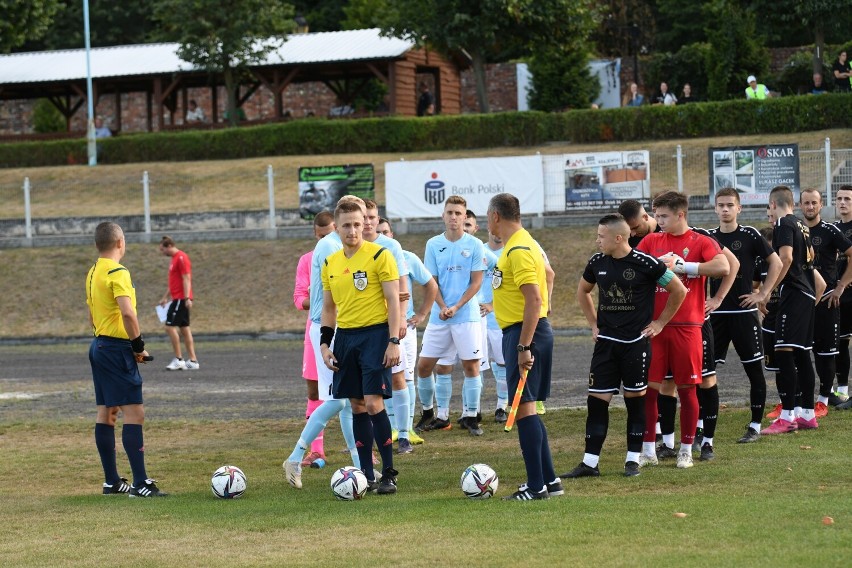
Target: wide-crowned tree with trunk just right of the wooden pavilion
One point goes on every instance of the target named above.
(486, 29)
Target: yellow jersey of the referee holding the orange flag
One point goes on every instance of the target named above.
(521, 262)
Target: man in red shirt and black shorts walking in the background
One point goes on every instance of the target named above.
(180, 294)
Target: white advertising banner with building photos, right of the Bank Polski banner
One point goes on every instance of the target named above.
(606, 177)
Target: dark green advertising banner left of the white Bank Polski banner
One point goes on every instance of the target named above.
(321, 186)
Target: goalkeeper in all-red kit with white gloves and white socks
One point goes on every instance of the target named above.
(693, 257)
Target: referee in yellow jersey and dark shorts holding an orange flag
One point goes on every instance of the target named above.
(520, 306)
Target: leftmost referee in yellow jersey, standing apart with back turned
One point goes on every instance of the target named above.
(113, 355)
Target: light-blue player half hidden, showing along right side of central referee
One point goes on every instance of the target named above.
(398, 405)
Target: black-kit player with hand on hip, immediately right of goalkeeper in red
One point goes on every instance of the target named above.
(736, 319)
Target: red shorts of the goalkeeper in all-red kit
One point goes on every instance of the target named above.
(677, 349)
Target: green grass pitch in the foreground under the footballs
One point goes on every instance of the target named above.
(755, 505)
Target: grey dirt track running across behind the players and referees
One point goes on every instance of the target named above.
(247, 380)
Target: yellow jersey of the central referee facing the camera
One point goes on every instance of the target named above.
(356, 284)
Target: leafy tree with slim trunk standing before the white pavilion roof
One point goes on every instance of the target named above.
(226, 36)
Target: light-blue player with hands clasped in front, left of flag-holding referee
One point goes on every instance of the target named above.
(456, 261)
